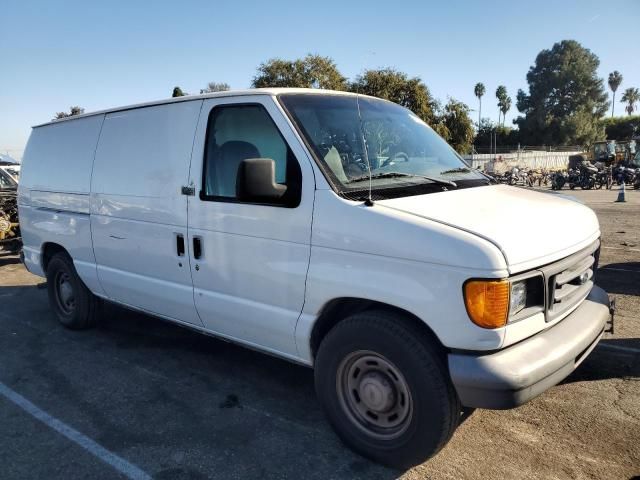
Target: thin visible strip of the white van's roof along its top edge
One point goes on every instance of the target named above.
(189, 98)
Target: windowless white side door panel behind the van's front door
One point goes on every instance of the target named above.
(138, 210)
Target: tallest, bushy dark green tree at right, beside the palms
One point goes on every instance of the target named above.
(566, 98)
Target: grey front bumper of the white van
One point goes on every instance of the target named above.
(515, 375)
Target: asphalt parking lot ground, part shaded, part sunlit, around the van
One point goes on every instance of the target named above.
(140, 397)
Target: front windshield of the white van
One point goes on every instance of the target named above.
(400, 148)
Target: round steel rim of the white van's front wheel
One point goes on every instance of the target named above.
(374, 394)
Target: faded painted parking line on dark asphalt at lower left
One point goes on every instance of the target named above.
(127, 469)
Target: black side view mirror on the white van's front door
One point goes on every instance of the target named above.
(256, 181)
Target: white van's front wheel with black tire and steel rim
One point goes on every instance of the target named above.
(432, 401)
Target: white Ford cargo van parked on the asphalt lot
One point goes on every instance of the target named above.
(331, 229)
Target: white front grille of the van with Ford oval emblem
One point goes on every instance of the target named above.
(569, 281)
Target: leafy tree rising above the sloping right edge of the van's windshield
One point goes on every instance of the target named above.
(397, 87)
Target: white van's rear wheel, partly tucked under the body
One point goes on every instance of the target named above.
(74, 305)
